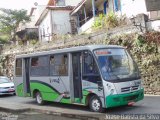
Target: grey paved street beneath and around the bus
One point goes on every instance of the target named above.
(150, 105)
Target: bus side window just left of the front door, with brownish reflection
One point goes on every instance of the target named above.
(59, 65)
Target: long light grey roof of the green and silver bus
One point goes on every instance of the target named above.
(66, 50)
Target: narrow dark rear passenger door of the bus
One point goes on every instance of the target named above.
(26, 76)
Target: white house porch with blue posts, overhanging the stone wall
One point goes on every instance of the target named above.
(87, 11)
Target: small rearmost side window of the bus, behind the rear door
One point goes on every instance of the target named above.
(18, 71)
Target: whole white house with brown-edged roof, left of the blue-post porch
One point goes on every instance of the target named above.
(55, 19)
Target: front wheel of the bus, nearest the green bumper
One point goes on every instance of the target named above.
(95, 104)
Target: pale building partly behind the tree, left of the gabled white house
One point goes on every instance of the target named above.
(27, 31)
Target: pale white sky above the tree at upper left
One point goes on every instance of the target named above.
(20, 4)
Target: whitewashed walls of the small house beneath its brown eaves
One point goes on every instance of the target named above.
(56, 24)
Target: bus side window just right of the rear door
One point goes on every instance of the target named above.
(40, 66)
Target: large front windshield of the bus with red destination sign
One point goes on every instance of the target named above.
(116, 64)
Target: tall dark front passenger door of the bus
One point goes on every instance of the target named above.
(77, 83)
